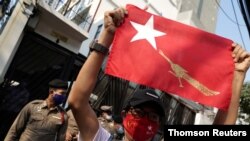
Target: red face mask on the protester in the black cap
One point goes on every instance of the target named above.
(140, 129)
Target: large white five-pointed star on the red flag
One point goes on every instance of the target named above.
(147, 32)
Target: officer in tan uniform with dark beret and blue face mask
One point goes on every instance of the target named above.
(42, 120)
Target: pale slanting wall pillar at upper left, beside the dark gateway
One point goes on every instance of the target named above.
(11, 37)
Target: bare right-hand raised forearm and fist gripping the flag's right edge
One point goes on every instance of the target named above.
(241, 63)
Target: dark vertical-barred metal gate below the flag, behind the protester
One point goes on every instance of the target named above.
(115, 91)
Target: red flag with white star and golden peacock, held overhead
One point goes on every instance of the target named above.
(173, 57)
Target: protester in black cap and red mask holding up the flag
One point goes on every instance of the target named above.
(141, 119)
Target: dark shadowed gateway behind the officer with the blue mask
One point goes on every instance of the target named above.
(36, 62)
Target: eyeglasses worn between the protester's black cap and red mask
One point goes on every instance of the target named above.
(139, 113)
